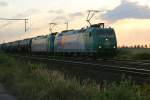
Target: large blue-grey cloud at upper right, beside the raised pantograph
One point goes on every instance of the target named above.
(127, 10)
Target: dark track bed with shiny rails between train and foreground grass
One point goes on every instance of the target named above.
(114, 66)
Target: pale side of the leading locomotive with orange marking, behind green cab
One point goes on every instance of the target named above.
(70, 42)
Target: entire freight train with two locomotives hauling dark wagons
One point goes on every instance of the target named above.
(95, 41)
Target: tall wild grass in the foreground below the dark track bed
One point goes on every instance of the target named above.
(29, 81)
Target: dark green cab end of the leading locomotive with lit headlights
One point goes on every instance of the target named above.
(104, 40)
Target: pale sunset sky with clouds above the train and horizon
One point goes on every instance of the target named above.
(129, 18)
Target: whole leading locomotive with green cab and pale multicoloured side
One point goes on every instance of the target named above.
(95, 40)
